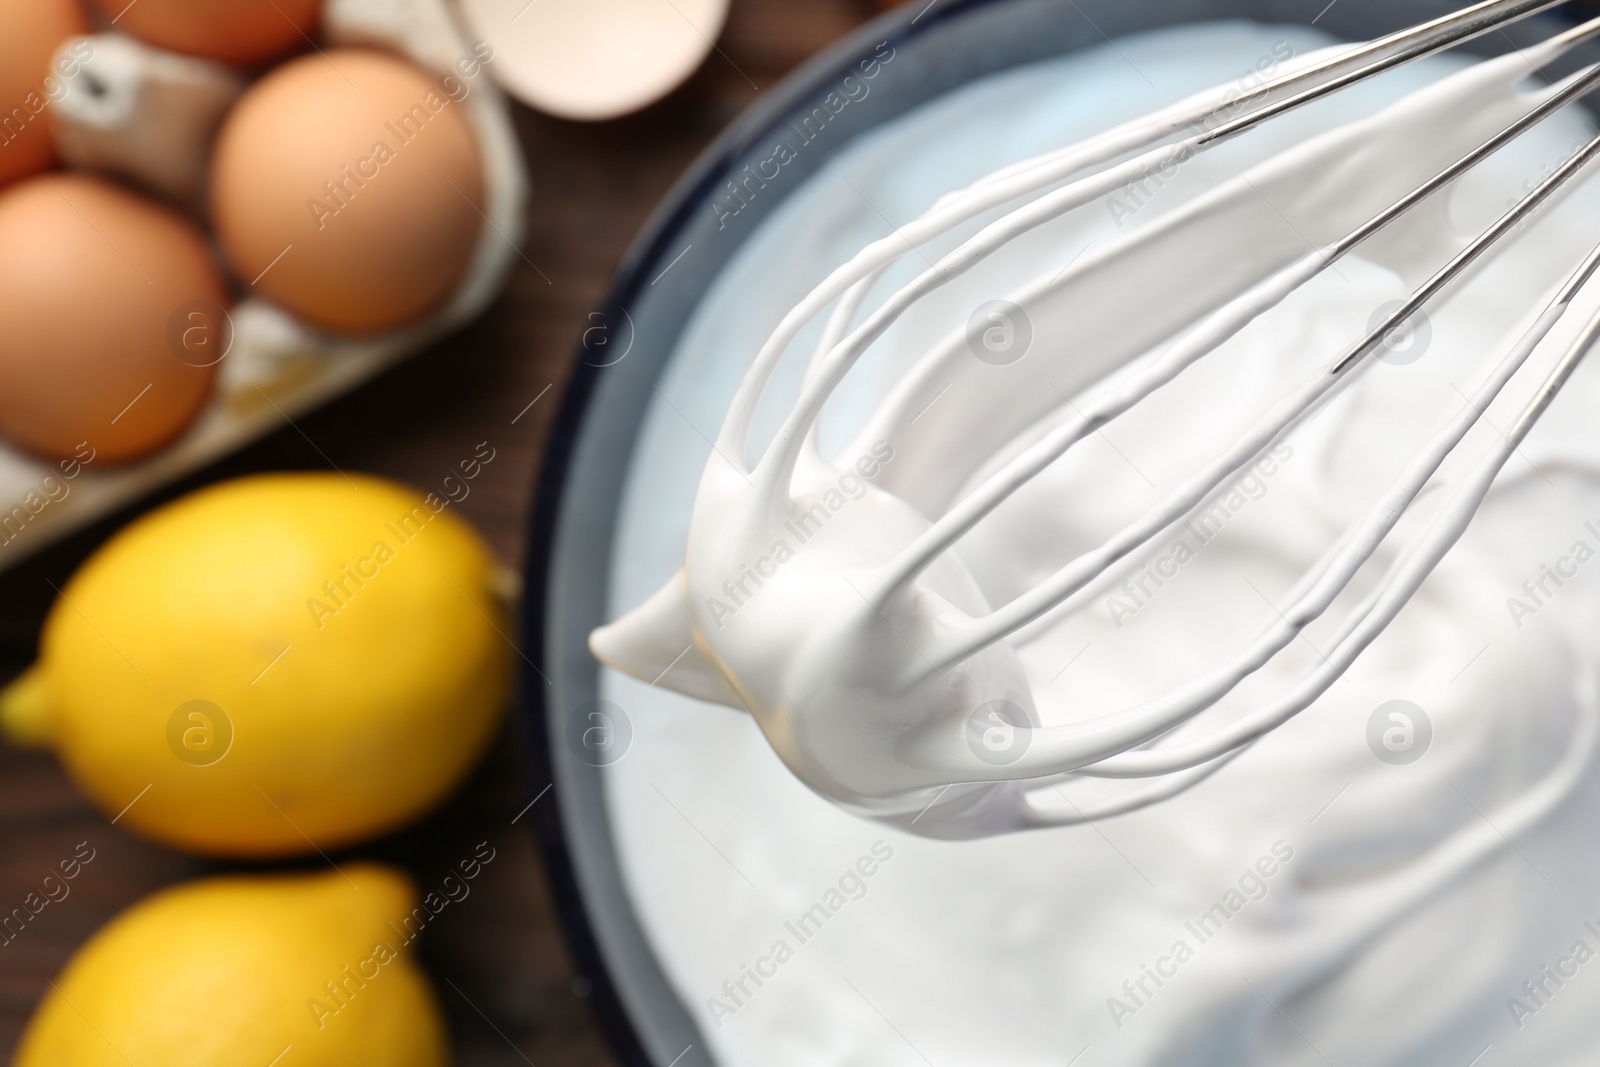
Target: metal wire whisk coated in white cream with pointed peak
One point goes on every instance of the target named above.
(871, 660)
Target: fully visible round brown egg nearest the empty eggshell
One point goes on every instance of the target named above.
(343, 190)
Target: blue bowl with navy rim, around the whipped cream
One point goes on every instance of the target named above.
(938, 46)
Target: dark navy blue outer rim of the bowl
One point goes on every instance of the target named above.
(658, 249)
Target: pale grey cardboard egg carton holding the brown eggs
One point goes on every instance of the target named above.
(151, 116)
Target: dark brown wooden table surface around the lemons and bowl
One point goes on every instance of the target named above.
(498, 959)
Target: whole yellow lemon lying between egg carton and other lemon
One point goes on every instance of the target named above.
(273, 666)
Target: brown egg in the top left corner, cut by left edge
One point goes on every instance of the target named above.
(31, 31)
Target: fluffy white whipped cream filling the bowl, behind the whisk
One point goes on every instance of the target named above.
(1311, 900)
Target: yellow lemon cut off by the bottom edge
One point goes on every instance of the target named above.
(305, 970)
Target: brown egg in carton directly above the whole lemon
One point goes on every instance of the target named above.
(110, 306)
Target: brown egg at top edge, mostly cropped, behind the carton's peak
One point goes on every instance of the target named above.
(244, 33)
